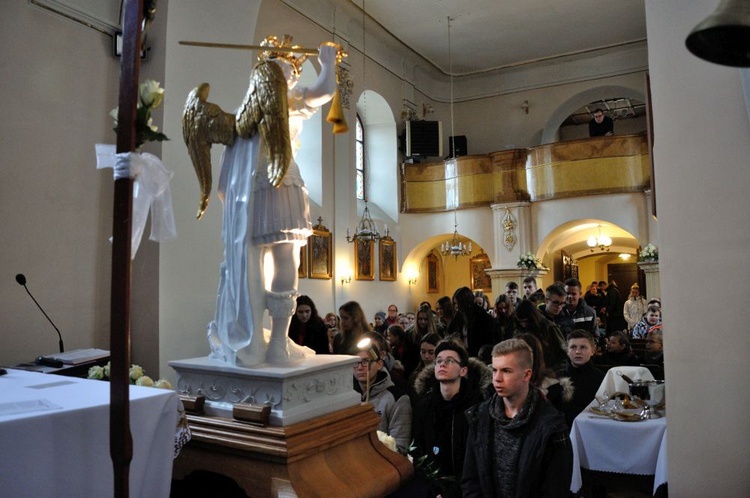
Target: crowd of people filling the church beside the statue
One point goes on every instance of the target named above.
(481, 396)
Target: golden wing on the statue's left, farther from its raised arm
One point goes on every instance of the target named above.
(203, 124)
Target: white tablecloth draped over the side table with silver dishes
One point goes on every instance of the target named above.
(622, 447)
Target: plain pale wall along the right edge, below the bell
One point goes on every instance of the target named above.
(702, 139)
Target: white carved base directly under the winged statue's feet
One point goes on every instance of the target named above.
(309, 388)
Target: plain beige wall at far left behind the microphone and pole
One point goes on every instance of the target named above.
(59, 83)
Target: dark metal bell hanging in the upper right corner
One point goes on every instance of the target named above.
(724, 36)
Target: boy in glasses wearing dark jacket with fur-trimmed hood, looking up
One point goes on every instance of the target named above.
(445, 390)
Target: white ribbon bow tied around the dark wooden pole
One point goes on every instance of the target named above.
(150, 190)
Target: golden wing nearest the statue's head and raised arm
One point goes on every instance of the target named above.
(265, 110)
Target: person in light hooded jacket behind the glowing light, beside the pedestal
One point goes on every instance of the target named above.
(374, 383)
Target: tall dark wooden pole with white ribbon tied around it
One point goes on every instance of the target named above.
(120, 440)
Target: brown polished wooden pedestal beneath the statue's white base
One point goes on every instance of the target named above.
(338, 454)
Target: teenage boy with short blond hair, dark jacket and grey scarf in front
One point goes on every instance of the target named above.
(518, 444)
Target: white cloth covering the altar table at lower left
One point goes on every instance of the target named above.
(64, 451)
